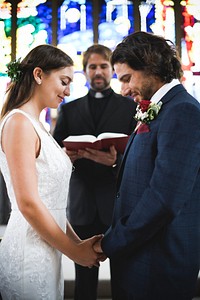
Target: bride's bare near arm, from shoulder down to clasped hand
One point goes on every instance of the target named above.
(21, 146)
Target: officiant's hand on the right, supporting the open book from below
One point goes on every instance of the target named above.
(107, 158)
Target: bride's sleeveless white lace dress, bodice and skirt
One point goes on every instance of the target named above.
(30, 269)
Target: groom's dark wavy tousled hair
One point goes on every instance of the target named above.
(150, 53)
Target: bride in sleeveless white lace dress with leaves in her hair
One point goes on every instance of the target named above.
(37, 173)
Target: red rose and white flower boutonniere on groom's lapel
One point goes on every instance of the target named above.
(147, 111)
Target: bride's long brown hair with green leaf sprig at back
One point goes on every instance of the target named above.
(21, 88)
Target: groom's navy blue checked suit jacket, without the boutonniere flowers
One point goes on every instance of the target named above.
(154, 240)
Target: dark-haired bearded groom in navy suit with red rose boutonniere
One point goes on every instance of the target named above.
(154, 240)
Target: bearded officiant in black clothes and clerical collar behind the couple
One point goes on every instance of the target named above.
(93, 182)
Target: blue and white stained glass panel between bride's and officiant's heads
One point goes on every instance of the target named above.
(75, 35)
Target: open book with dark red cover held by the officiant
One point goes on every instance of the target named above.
(102, 142)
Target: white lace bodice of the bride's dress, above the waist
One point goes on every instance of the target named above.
(52, 164)
